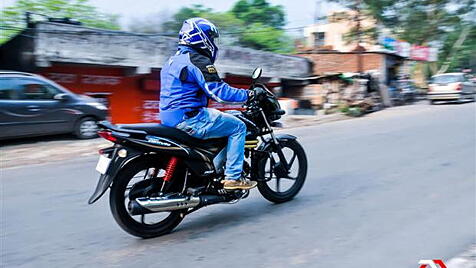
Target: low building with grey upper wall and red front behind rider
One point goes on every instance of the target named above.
(122, 69)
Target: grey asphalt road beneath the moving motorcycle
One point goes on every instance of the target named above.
(385, 190)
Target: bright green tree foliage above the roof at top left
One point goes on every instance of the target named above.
(12, 18)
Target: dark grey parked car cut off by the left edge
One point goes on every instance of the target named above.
(31, 105)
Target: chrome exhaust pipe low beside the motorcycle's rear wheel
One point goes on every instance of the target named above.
(145, 205)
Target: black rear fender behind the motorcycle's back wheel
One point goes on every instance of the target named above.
(105, 180)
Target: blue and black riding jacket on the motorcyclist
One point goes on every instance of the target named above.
(187, 80)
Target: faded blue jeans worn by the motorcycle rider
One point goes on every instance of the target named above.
(211, 123)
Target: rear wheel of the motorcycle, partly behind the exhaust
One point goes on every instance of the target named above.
(148, 225)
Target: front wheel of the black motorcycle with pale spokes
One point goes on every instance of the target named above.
(278, 185)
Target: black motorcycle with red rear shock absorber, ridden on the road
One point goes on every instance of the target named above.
(158, 174)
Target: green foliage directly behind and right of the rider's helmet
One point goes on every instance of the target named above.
(251, 23)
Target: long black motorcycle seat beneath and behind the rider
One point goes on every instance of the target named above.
(175, 135)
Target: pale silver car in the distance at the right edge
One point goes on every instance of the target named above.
(451, 87)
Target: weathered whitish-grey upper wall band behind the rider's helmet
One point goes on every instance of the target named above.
(68, 43)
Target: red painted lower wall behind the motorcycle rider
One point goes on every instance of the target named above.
(131, 99)
